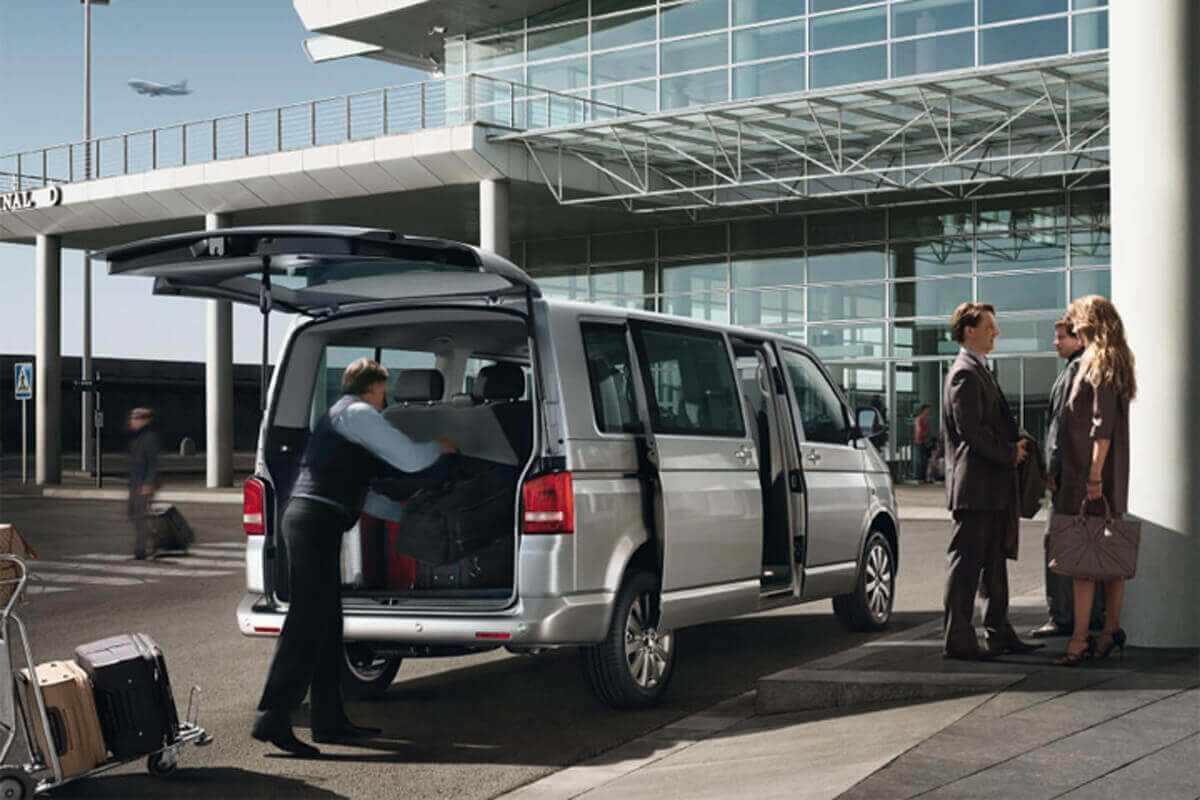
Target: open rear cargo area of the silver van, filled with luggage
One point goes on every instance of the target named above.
(448, 533)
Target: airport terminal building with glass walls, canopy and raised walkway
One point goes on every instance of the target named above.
(843, 171)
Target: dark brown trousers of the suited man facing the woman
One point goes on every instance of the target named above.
(977, 563)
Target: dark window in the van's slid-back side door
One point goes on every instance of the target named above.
(693, 392)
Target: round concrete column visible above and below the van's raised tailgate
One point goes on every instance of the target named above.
(219, 382)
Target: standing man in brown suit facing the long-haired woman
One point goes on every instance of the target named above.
(982, 453)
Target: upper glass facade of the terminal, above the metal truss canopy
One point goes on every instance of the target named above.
(651, 57)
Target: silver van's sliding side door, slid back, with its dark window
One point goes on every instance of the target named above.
(712, 501)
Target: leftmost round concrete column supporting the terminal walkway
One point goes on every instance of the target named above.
(49, 363)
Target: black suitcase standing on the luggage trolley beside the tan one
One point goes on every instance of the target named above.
(134, 697)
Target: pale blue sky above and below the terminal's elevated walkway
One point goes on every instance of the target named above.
(236, 55)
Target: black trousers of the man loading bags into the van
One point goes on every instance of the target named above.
(310, 651)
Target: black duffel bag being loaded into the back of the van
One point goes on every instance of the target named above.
(458, 516)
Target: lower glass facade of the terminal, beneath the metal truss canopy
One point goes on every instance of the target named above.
(871, 292)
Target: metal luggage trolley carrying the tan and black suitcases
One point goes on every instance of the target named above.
(23, 781)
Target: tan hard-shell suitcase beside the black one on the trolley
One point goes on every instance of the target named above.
(71, 709)
